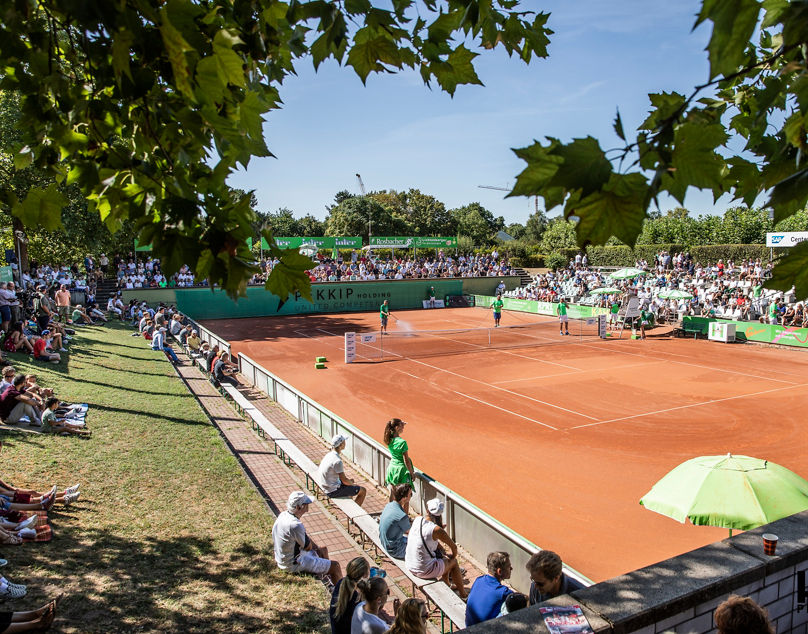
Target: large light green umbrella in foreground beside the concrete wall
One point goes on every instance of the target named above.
(728, 491)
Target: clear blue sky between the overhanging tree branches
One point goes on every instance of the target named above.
(399, 134)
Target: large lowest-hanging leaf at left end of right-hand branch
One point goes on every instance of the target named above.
(616, 210)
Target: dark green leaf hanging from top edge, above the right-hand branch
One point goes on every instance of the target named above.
(733, 26)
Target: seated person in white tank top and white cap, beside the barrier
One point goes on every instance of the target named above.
(424, 556)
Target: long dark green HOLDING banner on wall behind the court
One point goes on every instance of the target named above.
(332, 297)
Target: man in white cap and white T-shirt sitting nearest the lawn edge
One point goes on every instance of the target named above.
(294, 550)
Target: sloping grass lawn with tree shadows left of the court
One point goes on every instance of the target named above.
(168, 535)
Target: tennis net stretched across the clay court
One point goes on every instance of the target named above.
(366, 346)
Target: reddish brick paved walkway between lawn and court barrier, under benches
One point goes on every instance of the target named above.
(275, 480)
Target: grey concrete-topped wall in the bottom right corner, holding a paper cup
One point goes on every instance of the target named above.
(680, 594)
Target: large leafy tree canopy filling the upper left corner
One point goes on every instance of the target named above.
(148, 106)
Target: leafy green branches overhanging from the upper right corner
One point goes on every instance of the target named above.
(756, 100)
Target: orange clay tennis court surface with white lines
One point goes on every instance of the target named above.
(557, 442)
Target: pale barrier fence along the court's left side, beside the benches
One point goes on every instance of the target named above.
(474, 529)
